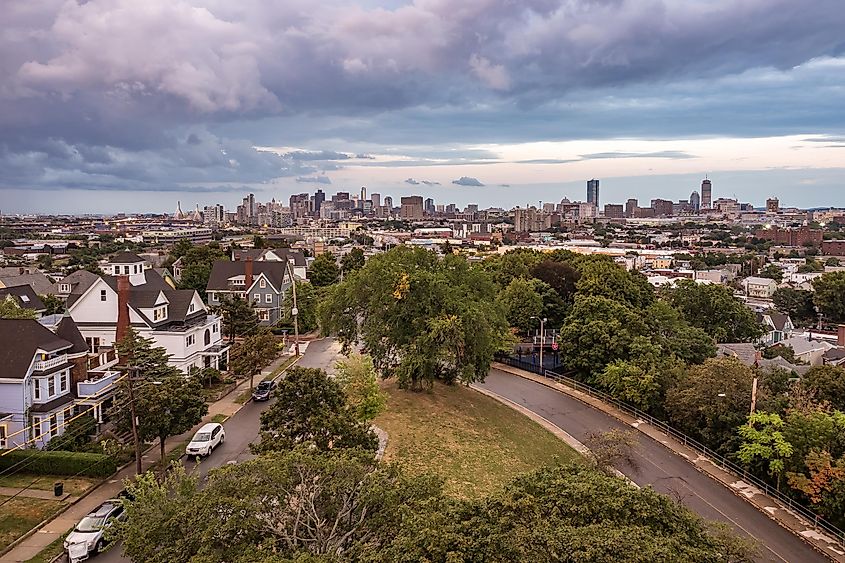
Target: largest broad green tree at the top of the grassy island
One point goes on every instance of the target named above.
(419, 317)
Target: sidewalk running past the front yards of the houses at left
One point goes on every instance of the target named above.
(33, 545)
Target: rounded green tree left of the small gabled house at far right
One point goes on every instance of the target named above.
(714, 309)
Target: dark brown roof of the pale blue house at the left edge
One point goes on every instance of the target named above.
(19, 339)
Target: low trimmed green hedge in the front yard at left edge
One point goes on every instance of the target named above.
(58, 463)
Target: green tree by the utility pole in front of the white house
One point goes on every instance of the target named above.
(167, 403)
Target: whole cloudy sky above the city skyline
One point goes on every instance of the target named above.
(127, 105)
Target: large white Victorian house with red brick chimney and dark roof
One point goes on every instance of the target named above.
(175, 319)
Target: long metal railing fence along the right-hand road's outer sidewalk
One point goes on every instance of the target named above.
(717, 459)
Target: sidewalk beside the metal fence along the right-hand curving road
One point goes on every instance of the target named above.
(765, 504)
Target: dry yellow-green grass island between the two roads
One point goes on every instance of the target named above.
(476, 443)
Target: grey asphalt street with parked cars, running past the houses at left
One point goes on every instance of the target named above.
(241, 430)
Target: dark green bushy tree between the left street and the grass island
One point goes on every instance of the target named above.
(311, 409)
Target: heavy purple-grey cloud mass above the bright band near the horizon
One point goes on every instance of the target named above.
(87, 98)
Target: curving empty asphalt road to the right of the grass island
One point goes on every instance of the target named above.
(665, 471)
